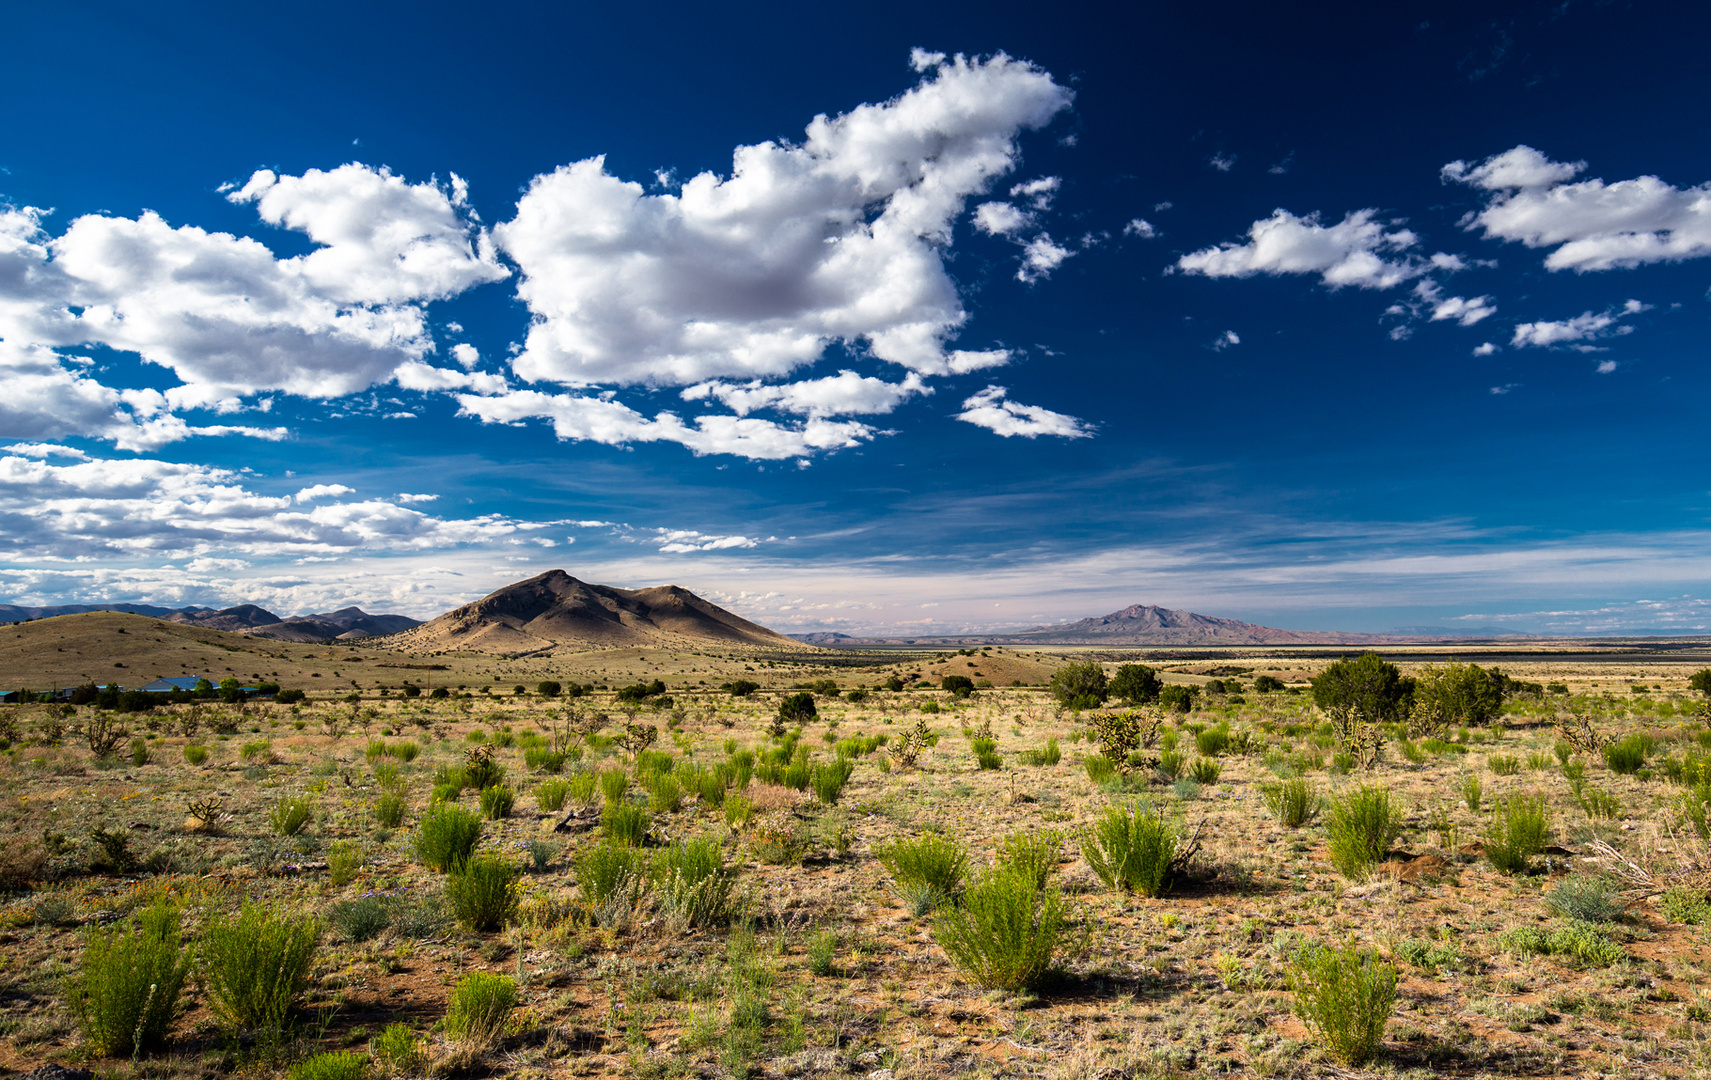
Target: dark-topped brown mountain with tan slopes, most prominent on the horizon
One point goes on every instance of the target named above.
(557, 610)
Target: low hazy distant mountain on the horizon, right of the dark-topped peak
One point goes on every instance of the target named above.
(1147, 626)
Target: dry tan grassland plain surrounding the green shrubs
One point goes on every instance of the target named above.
(822, 968)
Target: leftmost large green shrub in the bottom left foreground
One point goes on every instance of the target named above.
(127, 987)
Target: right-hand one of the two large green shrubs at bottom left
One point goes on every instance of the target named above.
(256, 964)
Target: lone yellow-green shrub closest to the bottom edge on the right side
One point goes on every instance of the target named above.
(1346, 999)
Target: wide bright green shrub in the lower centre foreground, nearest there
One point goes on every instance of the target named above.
(1004, 932)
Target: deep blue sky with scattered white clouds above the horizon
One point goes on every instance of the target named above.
(865, 319)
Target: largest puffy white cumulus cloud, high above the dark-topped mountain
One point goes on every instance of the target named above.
(754, 275)
